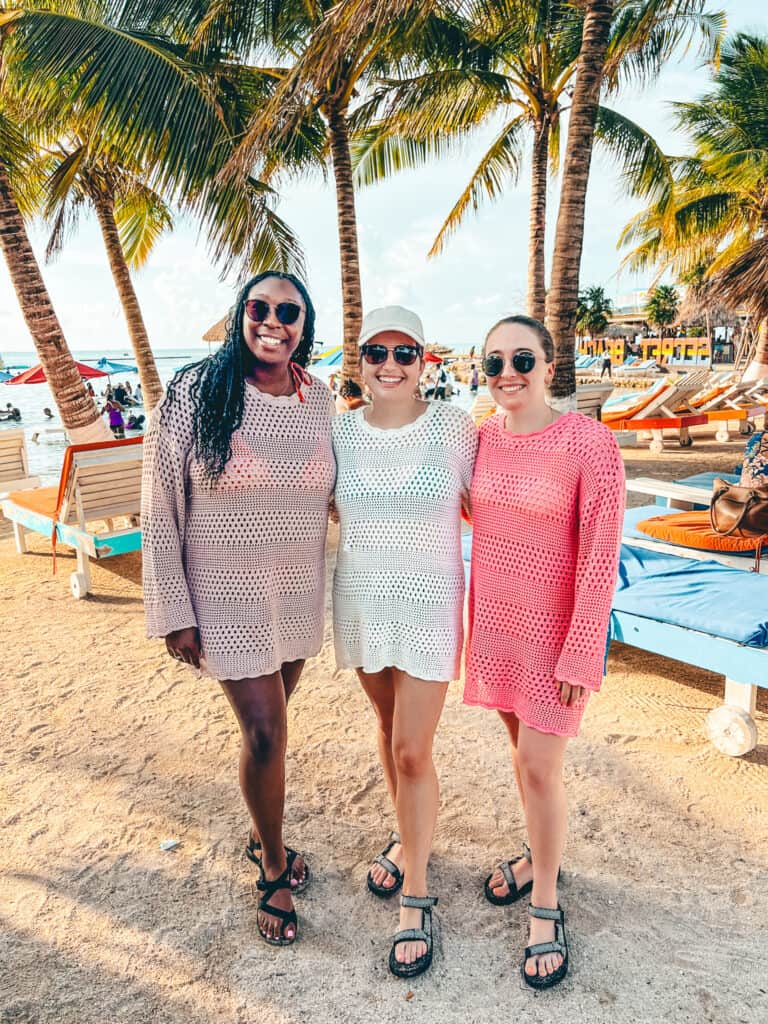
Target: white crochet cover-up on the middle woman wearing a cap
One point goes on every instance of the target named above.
(399, 586)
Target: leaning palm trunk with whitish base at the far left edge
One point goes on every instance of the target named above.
(78, 411)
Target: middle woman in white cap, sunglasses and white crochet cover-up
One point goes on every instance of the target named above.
(404, 466)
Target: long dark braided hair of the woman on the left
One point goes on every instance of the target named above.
(219, 382)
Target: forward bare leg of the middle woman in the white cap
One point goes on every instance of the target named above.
(418, 705)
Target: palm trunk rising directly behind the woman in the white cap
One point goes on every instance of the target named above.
(351, 265)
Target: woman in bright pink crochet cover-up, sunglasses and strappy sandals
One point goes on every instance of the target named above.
(547, 502)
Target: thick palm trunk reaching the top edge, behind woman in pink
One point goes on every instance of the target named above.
(564, 295)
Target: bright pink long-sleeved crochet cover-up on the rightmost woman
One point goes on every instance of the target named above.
(547, 511)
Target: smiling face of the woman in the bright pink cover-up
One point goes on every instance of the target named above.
(513, 391)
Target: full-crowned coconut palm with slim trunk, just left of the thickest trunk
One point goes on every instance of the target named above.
(518, 63)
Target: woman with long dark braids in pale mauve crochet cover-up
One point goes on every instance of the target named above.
(239, 472)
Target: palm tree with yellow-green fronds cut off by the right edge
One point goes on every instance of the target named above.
(715, 211)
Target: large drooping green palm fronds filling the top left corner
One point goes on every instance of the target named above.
(152, 101)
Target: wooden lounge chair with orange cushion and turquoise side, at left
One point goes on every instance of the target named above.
(99, 485)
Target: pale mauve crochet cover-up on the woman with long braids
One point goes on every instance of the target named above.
(245, 562)
